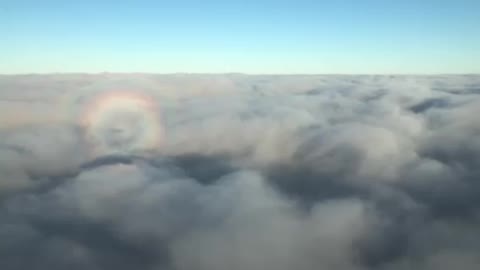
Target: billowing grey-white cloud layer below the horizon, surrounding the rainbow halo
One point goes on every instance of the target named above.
(253, 172)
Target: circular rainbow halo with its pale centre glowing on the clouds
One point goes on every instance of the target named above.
(122, 122)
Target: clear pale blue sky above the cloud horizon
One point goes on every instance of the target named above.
(370, 36)
